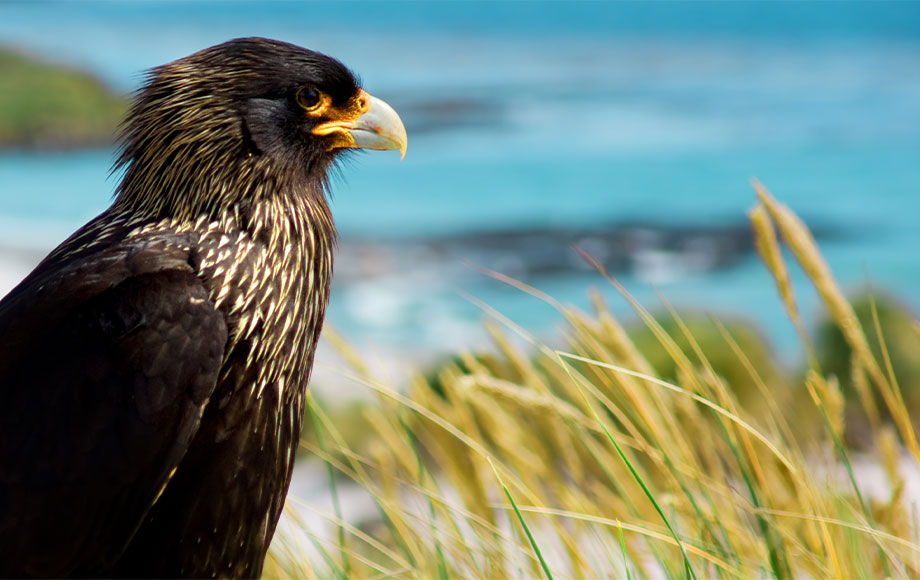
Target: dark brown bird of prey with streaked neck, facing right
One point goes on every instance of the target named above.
(154, 366)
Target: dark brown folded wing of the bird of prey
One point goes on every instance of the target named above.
(106, 365)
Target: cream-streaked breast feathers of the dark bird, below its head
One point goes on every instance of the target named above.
(269, 275)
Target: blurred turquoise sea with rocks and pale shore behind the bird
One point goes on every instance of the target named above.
(629, 129)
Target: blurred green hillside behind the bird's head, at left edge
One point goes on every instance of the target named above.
(43, 106)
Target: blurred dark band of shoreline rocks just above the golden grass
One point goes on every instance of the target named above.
(653, 252)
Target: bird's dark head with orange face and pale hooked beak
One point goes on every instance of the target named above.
(247, 118)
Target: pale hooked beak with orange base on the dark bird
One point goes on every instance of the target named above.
(377, 127)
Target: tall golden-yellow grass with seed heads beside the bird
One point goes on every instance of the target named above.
(591, 461)
